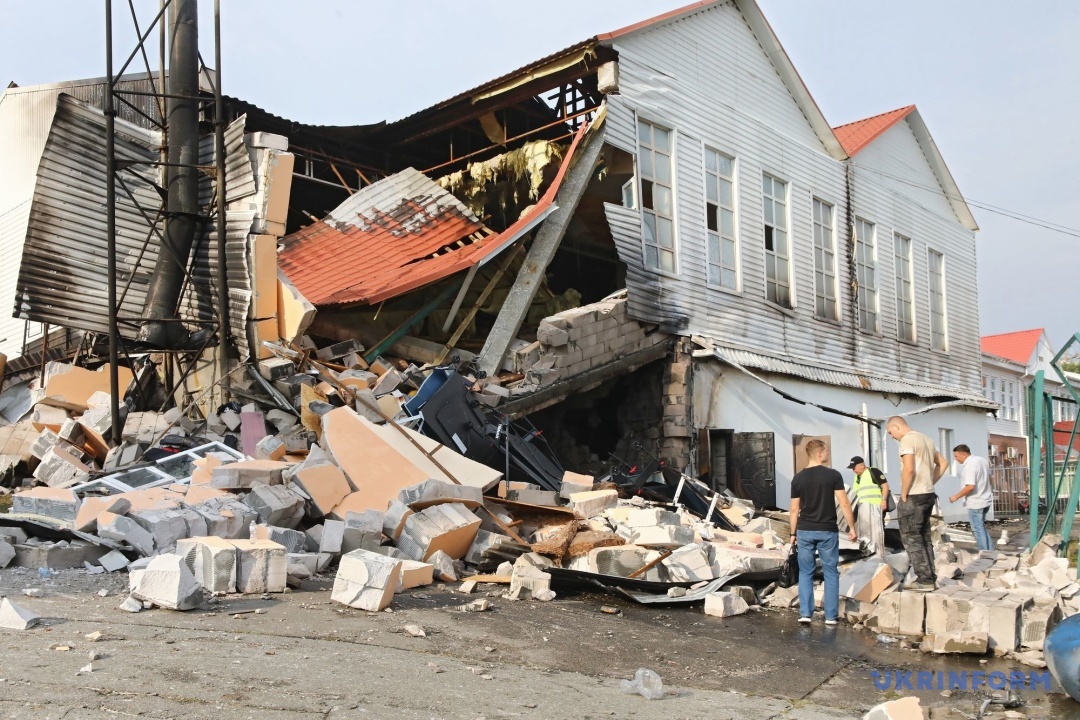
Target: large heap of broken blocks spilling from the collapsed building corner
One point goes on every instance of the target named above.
(329, 474)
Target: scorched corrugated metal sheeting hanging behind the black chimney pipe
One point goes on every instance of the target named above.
(64, 273)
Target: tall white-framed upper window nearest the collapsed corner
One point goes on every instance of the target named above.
(655, 169)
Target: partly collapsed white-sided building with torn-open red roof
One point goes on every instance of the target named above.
(650, 246)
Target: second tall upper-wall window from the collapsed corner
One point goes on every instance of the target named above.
(721, 220)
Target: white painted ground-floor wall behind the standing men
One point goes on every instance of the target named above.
(726, 399)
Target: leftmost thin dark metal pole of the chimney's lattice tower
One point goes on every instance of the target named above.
(111, 226)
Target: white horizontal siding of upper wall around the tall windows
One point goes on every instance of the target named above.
(720, 90)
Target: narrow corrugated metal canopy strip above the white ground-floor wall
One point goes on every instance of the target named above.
(844, 378)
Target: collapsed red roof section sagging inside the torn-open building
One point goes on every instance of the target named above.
(363, 254)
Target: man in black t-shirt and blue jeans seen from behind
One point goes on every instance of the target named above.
(816, 492)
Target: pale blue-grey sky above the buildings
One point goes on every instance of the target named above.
(996, 81)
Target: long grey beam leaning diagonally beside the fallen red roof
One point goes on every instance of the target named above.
(545, 246)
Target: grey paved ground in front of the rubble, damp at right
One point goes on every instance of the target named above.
(307, 658)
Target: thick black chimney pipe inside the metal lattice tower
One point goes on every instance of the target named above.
(182, 180)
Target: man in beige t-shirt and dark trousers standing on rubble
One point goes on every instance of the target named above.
(922, 466)
